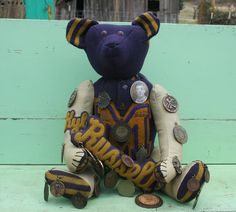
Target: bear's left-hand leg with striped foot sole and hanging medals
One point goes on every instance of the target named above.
(77, 187)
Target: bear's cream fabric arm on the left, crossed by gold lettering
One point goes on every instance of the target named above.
(82, 102)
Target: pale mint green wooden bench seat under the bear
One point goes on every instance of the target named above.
(22, 188)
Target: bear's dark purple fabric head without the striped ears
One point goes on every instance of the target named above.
(114, 56)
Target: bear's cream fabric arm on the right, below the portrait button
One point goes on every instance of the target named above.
(165, 122)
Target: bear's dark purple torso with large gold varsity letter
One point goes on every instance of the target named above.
(129, 125)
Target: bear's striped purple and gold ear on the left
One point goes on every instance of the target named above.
(76, 29)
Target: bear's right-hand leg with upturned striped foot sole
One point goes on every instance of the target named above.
(187, 186)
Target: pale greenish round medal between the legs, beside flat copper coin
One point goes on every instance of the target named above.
(126, 188)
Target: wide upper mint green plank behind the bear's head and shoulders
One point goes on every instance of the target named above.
(195, 63)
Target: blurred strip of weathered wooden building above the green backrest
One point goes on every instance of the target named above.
(169, 11)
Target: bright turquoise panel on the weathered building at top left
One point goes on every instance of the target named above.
(38, 9)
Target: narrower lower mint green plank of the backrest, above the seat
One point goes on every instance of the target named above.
(39, 141)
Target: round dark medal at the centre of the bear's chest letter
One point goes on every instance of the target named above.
(121, 132)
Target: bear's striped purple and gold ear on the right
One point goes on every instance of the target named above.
(149, 22)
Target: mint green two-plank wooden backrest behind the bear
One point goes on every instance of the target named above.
(39, 70)
